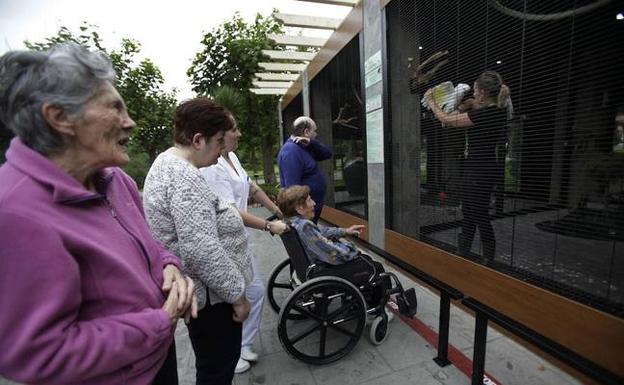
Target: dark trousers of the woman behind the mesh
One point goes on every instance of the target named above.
(475, 209)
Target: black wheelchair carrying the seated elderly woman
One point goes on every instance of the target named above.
(322, 317)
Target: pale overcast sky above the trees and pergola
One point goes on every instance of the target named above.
(169, 31)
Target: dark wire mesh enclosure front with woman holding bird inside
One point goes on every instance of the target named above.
(552, 184)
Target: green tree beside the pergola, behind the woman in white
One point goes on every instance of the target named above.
(229, 57)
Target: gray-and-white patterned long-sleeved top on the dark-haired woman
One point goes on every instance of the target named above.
(186, 215)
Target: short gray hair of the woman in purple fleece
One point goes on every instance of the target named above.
(66, 75)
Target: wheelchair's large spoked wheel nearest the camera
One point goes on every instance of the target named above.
(334, 317)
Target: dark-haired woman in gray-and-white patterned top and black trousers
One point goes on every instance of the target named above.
(186, 214)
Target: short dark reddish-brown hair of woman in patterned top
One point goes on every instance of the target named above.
(200, 116)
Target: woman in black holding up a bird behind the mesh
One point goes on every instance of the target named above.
(486, 121)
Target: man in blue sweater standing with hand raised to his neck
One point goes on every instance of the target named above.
(297, 161)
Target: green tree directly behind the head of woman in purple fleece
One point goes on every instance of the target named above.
(140, 83)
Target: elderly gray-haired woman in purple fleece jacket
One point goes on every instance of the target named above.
(88, 295)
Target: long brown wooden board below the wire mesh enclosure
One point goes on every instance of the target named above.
(593, 334)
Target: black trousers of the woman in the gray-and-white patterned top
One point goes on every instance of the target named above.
(216, 340)
